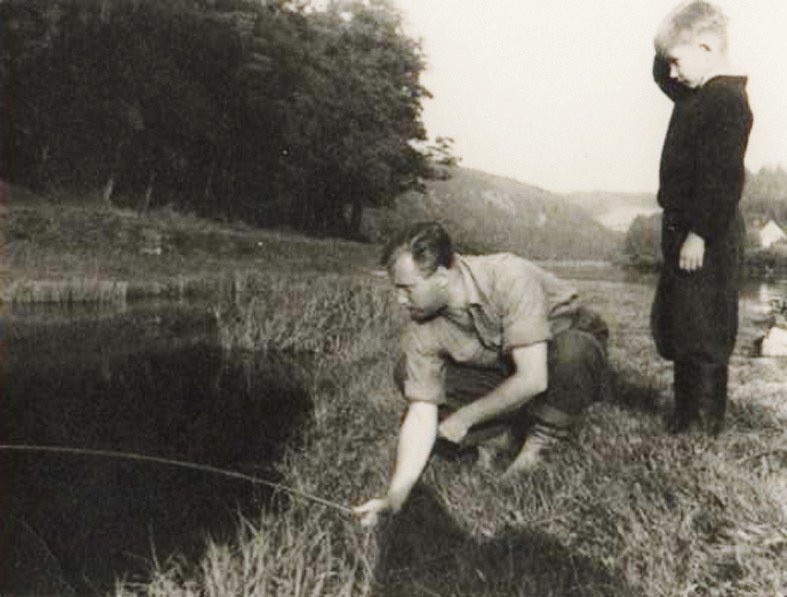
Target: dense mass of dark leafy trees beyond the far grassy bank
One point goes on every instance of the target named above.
(278, 112)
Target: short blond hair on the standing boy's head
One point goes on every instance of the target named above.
(687, 21)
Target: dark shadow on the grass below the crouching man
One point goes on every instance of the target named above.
(424, 552)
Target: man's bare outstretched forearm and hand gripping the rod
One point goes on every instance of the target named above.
(416, 439)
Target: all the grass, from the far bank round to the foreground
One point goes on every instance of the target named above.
(623, 509)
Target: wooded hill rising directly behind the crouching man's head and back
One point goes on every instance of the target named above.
(486, 213)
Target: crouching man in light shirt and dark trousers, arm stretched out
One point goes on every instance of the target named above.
(494, 343)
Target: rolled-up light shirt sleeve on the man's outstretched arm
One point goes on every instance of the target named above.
(424, 369)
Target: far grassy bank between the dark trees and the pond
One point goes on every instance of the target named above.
(62, 250)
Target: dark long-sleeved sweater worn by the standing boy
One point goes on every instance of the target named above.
(702, 171)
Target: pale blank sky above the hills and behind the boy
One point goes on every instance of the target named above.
(558, 93)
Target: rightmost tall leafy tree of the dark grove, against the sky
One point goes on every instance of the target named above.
(354, 118)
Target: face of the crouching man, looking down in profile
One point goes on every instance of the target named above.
(422, 296)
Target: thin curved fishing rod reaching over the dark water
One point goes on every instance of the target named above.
(205, 468)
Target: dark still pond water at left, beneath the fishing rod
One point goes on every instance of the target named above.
(146, 381)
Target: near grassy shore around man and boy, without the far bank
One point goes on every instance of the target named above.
(624, 509)
